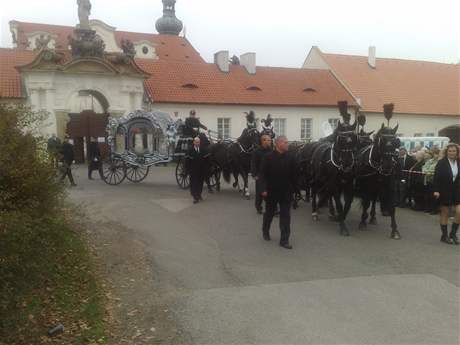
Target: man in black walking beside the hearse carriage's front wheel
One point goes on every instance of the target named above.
(198, 168)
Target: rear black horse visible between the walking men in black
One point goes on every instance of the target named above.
(235, 157)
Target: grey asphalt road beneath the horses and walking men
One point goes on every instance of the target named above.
(226, 285)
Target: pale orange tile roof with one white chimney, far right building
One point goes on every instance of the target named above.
(416, 87)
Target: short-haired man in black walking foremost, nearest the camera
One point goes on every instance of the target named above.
(278, 176)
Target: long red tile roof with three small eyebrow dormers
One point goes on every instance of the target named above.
(279, 86)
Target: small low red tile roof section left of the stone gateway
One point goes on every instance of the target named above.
(10, 81)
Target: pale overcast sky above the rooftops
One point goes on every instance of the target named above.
(280, 32)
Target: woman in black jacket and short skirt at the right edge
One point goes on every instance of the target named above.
(446, 187)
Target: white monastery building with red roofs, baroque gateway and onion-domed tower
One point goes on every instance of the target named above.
(81, 78)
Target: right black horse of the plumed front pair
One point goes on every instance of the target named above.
(376, 176)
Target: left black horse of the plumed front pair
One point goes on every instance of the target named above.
(330, 169)
